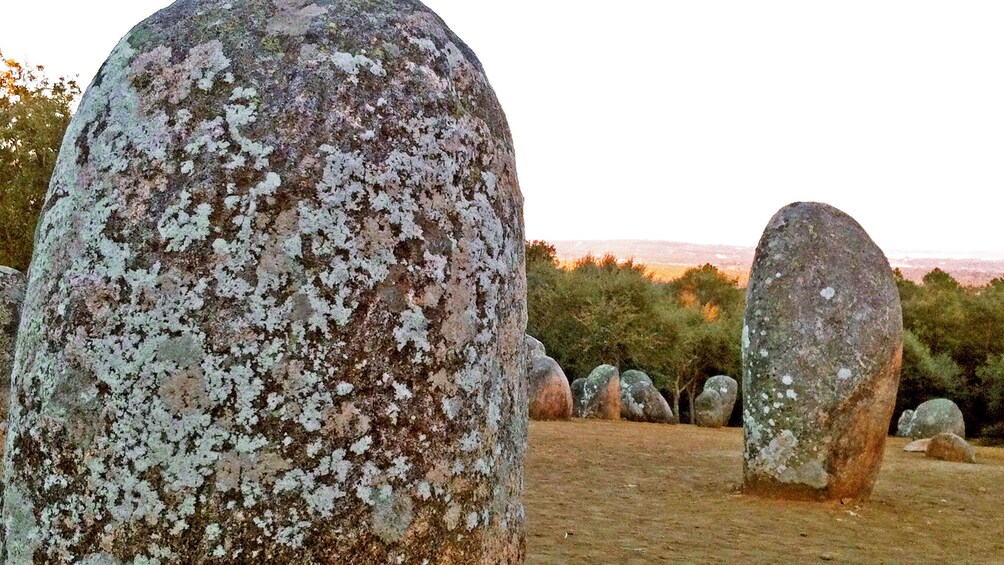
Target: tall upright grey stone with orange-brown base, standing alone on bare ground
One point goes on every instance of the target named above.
(823, 344)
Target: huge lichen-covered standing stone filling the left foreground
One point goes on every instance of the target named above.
(277, 309)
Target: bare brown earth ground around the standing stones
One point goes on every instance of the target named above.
(619, 492)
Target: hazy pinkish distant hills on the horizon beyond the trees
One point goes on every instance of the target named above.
(668, 260)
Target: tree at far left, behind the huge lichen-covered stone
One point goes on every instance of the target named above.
(35, 114)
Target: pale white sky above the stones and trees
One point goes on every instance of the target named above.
(696, 121)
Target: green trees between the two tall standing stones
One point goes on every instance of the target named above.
(602, 312)
